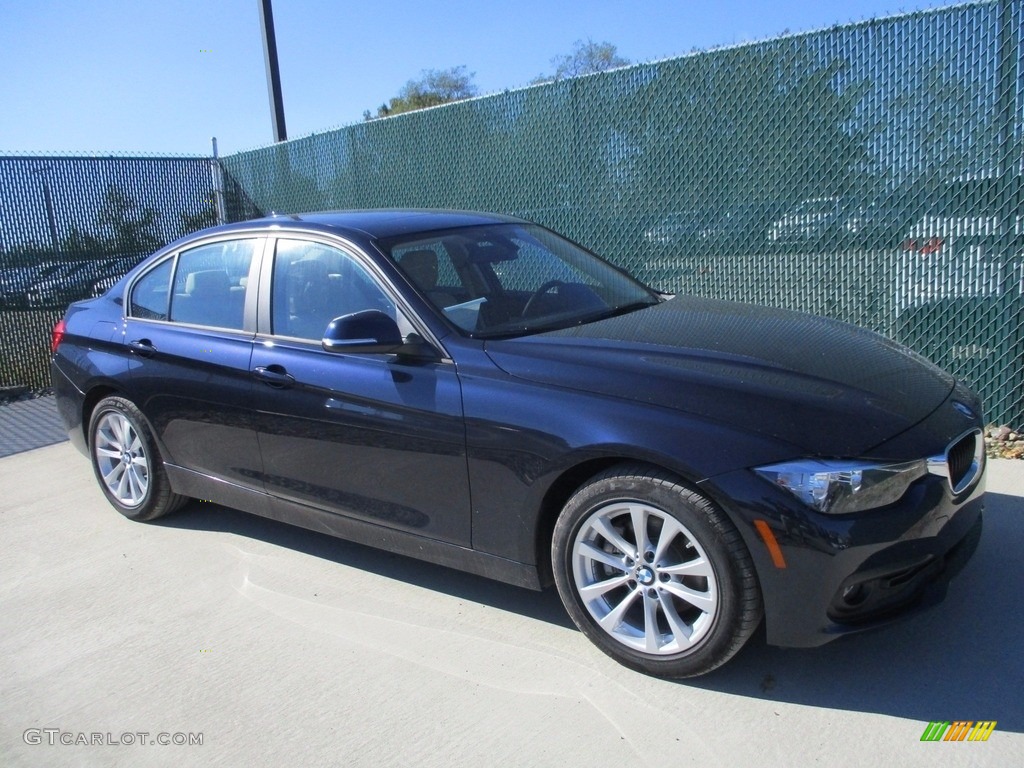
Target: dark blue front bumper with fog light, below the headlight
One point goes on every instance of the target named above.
(848, 574)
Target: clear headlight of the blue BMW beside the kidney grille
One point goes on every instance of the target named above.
(841, 487)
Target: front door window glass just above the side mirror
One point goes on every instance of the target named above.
(314, 284)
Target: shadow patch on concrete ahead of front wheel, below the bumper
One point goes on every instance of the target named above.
(963, 660)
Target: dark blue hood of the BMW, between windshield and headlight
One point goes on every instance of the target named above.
(827, 388)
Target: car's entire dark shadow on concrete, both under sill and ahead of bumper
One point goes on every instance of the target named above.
(960, 661)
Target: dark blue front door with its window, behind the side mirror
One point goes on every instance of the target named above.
(366, 437)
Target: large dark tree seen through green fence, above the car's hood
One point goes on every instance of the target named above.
(758, 129)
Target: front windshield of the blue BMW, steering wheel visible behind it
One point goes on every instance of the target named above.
(513, 280)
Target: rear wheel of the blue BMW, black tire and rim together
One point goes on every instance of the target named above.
(127, 463)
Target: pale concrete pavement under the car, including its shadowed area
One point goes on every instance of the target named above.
(279, 647)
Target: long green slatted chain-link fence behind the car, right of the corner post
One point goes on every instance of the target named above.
(870, 173)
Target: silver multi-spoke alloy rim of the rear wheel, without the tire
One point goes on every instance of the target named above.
(121, 459)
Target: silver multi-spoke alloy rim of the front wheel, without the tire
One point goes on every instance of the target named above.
(645, 578)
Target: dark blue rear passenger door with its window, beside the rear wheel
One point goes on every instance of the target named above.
(191, 324)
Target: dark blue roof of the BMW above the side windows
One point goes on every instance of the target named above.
(378, 224)
